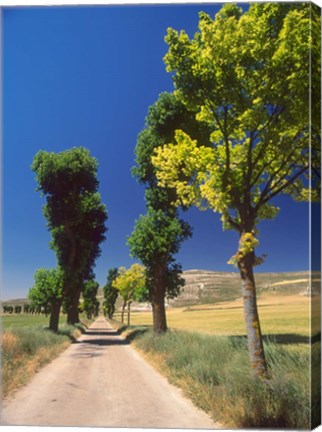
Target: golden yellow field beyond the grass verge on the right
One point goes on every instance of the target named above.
(283, 316)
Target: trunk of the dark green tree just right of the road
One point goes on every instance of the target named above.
(157, 299)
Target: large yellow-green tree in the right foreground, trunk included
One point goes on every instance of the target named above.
(247, 76)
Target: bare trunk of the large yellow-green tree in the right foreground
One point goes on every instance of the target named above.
(254, 335)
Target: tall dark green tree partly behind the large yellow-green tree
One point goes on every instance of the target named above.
(161, 224)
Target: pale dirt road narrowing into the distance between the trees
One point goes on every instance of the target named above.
(102, 381)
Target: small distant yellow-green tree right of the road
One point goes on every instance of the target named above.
(131, 285)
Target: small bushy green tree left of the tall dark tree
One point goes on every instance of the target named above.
(47, 291)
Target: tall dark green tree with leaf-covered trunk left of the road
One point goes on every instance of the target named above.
(75, 216)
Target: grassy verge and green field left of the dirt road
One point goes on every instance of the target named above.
(28, 344)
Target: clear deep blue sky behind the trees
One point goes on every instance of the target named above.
(85, 76)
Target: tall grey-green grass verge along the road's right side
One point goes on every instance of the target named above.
(214, 372)
